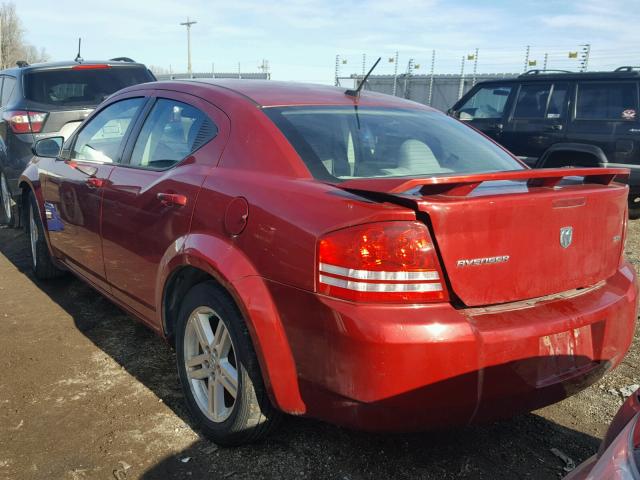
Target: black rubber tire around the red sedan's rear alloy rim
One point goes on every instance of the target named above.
(252, 415)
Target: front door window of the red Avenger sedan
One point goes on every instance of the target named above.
(100, 139)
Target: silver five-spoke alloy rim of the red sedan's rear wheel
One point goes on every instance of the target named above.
(211, 365)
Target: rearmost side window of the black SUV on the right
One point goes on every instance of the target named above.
(607, 101)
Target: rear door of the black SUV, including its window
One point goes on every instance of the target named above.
(537, 120)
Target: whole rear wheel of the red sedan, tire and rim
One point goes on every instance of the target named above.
(219, 371)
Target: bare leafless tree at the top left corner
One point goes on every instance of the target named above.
(12, 44)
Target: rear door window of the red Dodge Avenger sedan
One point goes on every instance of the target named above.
(172, 131)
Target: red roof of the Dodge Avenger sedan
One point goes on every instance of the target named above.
(270, 93)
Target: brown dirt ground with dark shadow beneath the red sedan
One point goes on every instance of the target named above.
(88, 393)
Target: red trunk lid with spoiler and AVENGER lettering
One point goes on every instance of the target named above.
(516, 235)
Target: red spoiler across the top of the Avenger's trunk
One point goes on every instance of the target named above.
(464, 184)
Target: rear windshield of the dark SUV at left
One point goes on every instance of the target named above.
(80, 87)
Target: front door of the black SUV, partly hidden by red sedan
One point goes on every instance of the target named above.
(485, 108)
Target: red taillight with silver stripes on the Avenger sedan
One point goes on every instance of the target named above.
(381, 262)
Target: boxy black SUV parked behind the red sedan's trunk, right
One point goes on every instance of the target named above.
(554, 119)
